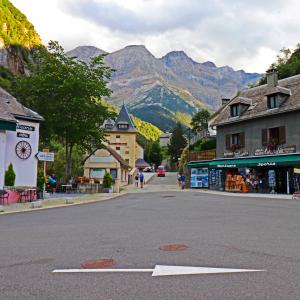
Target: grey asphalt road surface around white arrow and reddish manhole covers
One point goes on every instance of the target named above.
(220, 231)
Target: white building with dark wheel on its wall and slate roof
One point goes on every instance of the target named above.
(19, 140)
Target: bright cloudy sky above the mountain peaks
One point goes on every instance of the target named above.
(244, 34)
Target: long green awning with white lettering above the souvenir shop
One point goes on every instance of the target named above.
(254, 161)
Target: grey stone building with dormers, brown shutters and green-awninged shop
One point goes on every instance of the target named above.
(258, 138)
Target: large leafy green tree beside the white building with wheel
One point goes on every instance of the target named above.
(67, 93)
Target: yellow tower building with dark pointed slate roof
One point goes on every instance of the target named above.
(121, 136)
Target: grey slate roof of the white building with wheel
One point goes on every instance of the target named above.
(11, 109)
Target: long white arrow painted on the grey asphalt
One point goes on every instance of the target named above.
(160, 270)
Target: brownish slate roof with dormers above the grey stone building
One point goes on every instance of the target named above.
(289, 87)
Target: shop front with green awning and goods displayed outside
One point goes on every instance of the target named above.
(264, 174)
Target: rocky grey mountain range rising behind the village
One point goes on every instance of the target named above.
(165, 90)
